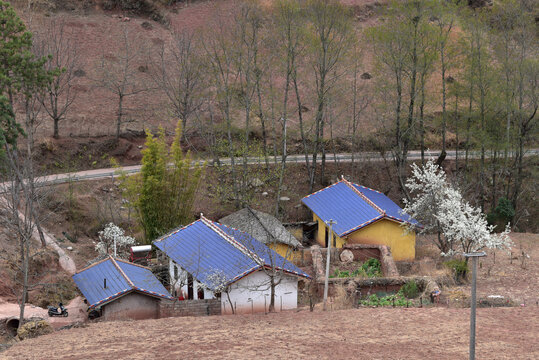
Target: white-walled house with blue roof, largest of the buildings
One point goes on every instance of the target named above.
(210, 260)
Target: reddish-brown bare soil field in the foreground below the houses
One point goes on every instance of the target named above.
(368, 333)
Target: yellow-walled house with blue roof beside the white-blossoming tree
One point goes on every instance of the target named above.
(362, 216)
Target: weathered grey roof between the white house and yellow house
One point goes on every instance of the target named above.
(263, 227)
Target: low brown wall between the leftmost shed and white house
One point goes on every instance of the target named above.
(189, 308)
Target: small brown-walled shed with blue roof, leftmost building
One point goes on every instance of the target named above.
(121, 290)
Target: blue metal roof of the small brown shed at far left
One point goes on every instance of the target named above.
(121, 278)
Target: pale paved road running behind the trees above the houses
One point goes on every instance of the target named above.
(338, 158)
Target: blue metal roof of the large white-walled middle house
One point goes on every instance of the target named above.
(203, 252)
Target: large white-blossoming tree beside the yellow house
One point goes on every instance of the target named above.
(440, 208)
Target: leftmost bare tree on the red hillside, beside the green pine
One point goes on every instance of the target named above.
(54, 41)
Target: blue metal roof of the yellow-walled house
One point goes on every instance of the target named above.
(353, 207)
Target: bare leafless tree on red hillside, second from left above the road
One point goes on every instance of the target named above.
(118, 74)
